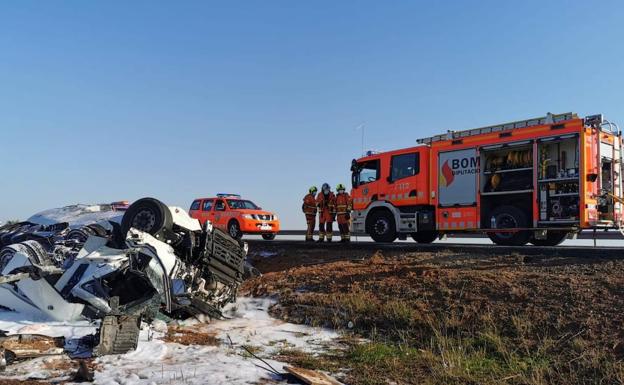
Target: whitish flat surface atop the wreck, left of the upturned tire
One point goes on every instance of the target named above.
(78, 215)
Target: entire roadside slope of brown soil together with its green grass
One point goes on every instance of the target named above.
(453, 317)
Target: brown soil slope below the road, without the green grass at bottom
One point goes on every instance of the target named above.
(568, 308)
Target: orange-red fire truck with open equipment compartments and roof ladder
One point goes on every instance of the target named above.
(533, 181)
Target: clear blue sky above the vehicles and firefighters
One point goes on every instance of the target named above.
(108, 100)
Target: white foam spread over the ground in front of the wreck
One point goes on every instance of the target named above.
(159, 362)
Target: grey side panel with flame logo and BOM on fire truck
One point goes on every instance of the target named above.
(458, 171)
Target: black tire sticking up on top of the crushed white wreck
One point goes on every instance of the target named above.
(148, 215)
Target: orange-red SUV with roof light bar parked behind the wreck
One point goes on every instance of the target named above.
(236, 216)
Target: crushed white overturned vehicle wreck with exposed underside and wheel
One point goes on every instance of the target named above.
(157, 259)
